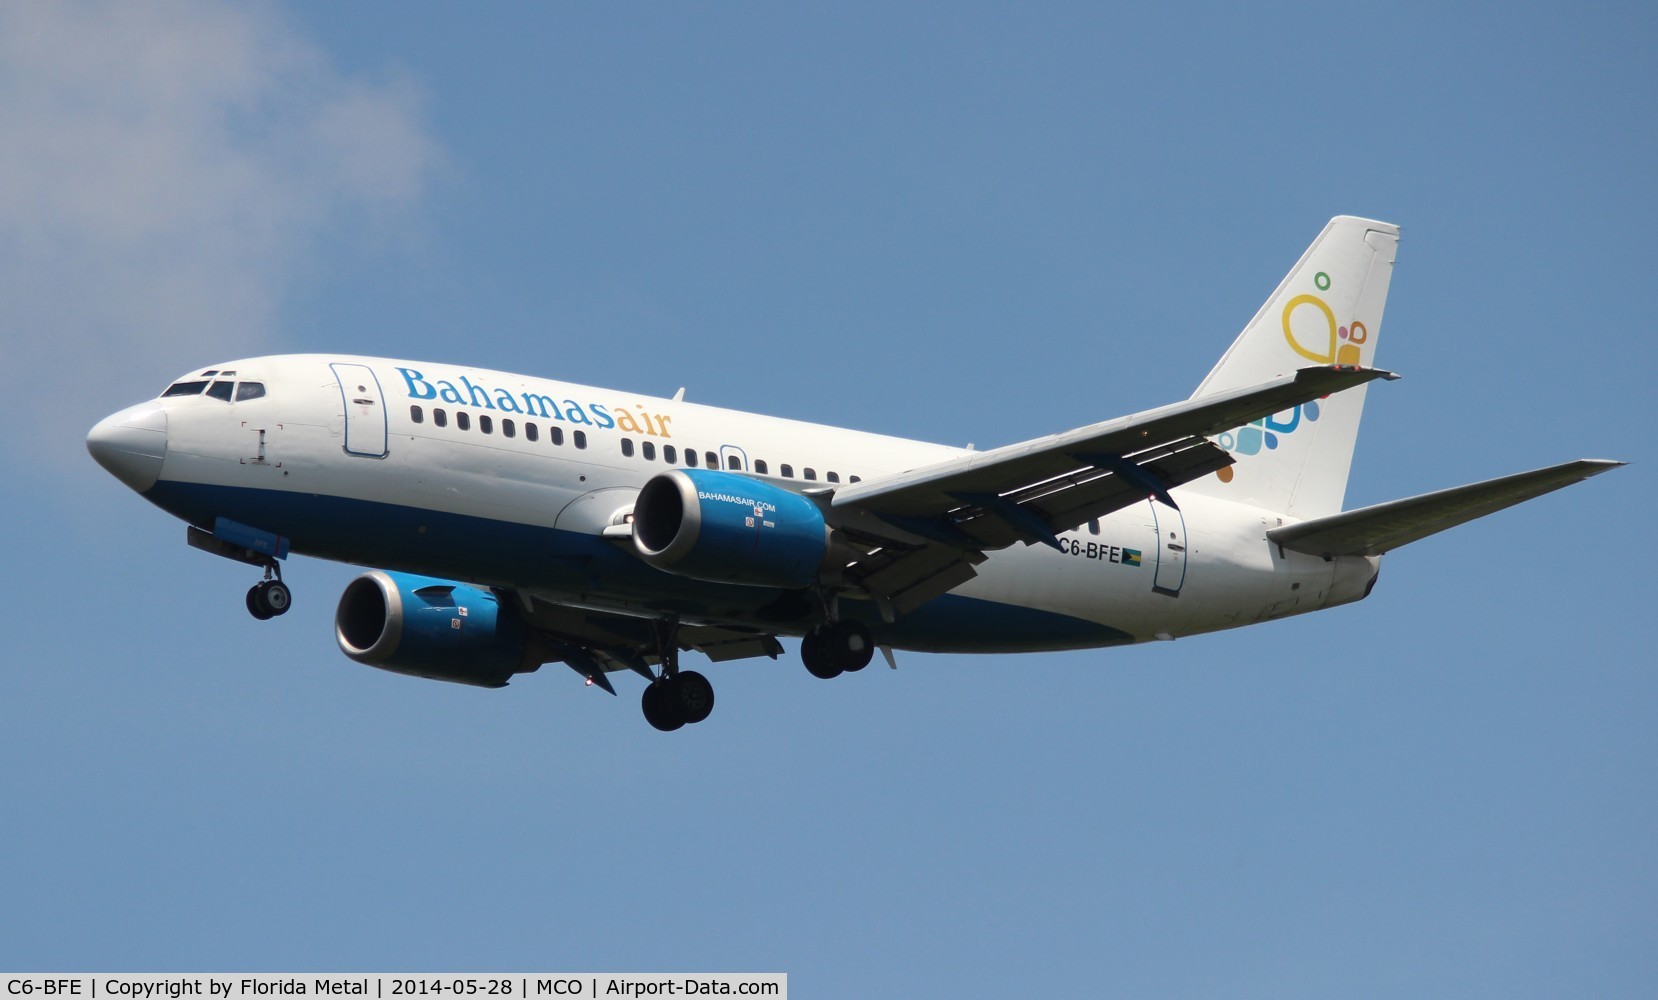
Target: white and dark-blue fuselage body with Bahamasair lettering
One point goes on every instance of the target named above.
(507, 480)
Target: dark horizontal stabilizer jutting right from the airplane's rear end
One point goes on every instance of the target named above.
(1372, 532)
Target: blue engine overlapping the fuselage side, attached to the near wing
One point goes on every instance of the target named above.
(729, 530)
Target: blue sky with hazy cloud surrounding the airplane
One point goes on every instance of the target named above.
(959, 223)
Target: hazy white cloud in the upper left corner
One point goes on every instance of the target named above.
(167, 170)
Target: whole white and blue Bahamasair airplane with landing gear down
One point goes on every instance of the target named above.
(516, 522)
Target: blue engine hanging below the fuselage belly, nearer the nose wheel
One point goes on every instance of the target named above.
(429, 628)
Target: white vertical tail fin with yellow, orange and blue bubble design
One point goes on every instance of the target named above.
(1327, 311)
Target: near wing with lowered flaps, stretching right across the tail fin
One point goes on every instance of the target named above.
(928, 528)
